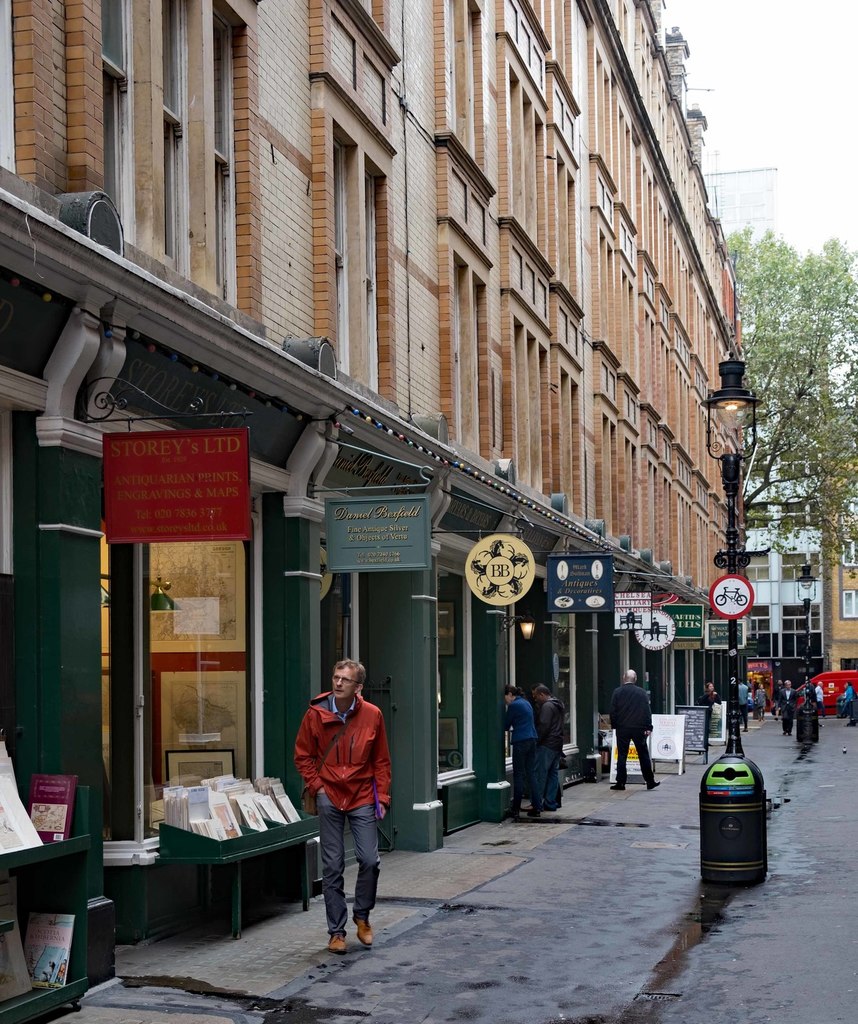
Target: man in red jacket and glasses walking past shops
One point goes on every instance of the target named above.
(342, 755)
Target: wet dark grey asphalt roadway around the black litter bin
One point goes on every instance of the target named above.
(608, 922)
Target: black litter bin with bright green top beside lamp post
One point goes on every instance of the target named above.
(734, 823)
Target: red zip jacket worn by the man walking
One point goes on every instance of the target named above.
(359, 756)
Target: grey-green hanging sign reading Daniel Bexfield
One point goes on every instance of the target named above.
(374, 535)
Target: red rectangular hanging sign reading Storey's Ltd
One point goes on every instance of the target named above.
(178, 486)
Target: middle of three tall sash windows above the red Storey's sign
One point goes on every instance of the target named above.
(175, 34)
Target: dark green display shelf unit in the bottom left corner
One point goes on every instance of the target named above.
(52, 879)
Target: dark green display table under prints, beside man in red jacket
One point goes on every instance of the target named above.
(180, 846)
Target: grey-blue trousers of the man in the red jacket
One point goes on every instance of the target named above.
(365, 834)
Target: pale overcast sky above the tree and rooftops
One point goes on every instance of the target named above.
(784, 77)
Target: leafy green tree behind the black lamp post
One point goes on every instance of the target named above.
(800, 343)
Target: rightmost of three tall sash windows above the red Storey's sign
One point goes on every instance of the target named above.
(225, 163)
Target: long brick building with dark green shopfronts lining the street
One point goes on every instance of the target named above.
(467, 237)
